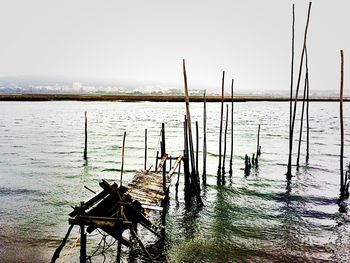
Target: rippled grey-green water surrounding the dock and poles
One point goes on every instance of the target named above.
(259, 218)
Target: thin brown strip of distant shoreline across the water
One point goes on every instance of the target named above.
(157, 98)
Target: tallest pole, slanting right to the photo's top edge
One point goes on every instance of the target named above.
(289, 175)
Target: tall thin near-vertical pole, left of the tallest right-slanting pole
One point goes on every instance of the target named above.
(289, 166)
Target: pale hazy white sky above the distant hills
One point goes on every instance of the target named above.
(146, 40)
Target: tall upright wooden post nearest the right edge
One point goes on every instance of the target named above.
(342, 186)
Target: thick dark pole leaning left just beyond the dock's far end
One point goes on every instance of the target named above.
(194, 176)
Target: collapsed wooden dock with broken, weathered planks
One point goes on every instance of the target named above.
(117, 209)
